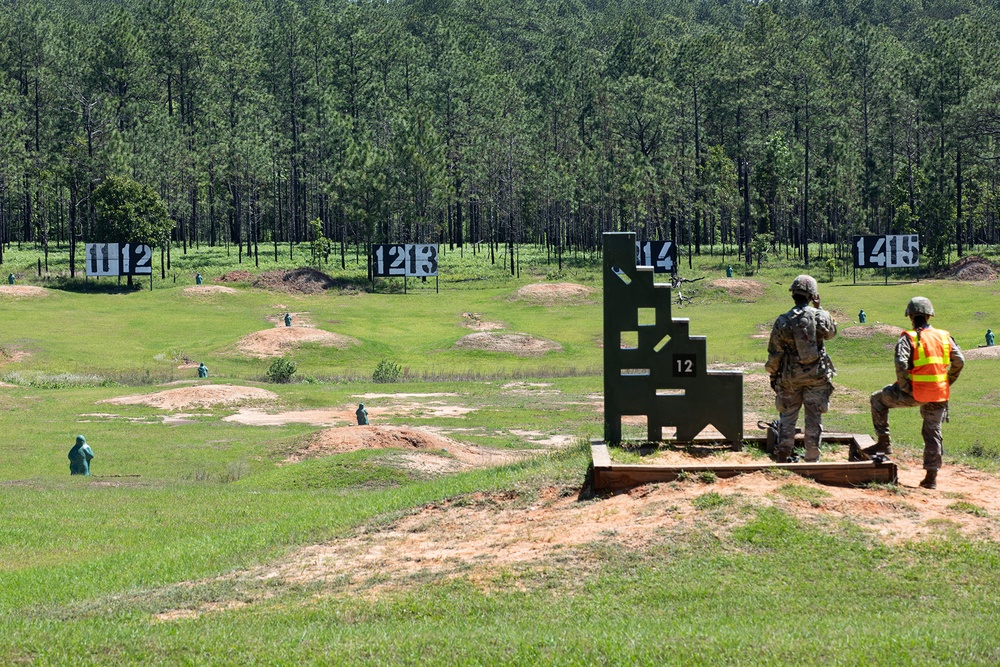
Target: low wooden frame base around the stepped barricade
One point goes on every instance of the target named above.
(608, 476)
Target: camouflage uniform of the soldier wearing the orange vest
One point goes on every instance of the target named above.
(899, 395)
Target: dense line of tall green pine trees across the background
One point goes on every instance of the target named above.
(746, 126)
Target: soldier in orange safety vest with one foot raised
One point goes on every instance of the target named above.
(928, 361)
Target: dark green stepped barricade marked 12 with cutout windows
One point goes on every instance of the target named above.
(653, 367)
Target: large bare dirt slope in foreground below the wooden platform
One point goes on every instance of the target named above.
(481, 536)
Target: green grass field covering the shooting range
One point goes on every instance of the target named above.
(176, 513)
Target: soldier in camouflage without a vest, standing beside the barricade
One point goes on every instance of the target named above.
(800, 368)
